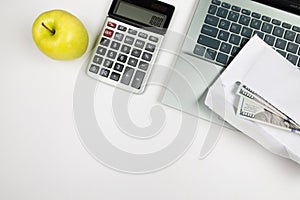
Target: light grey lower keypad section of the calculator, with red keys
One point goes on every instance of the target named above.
(124, 56)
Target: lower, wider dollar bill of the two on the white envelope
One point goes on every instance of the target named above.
(251, 110)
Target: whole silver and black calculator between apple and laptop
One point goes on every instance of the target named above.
(129, 42)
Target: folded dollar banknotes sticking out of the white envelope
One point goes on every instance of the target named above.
(254, 107)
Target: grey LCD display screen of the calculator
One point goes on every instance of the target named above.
(140, 14)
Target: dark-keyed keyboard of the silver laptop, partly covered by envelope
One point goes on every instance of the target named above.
(227, 28)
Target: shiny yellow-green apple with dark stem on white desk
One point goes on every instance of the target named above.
(60, 35)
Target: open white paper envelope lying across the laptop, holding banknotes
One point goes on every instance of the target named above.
(265, 71)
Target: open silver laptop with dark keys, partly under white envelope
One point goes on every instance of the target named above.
(217, 32)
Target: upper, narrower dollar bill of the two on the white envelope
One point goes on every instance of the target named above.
(245, 92)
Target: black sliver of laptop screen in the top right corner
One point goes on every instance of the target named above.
(292, 6)
